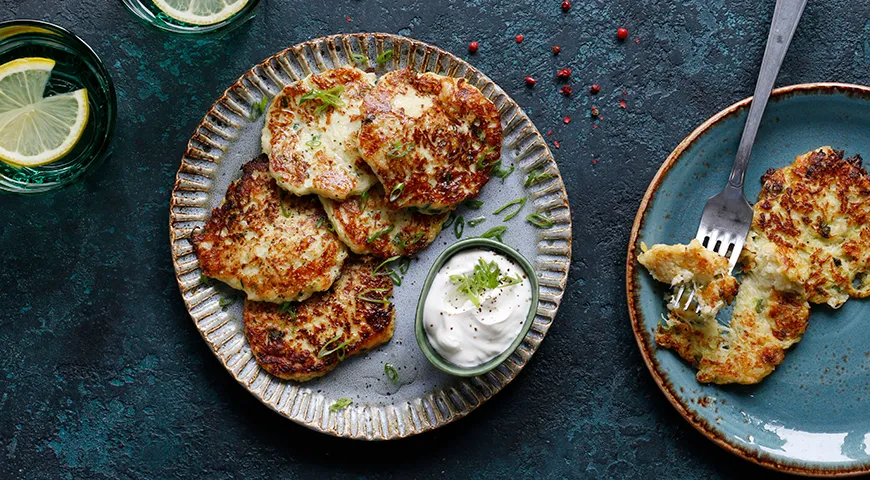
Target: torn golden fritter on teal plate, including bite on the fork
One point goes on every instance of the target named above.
(809, 243)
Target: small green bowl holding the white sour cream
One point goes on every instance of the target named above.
(423, 339)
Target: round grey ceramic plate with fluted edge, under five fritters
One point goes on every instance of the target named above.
(424, 397)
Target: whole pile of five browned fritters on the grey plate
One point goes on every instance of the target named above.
(347, 163)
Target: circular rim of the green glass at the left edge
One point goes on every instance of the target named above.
(106, 83)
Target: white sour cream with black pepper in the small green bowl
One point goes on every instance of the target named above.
(467, 335)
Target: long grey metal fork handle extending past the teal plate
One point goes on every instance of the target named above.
(786, 15)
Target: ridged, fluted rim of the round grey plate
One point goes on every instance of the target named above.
(382, 429)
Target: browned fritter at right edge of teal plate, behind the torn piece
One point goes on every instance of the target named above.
(817, 213)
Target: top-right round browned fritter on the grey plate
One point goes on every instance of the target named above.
(437, 136)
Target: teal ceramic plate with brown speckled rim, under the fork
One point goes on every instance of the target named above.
(812, 415)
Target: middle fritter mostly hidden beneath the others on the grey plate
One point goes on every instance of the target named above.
(367, 226)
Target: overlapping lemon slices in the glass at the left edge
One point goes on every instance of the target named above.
(36, 130)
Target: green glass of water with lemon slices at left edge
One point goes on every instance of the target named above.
(64, 64)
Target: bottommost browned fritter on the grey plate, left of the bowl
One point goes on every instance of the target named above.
(294, 344)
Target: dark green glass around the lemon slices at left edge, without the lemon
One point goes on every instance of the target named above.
(76, 66)
